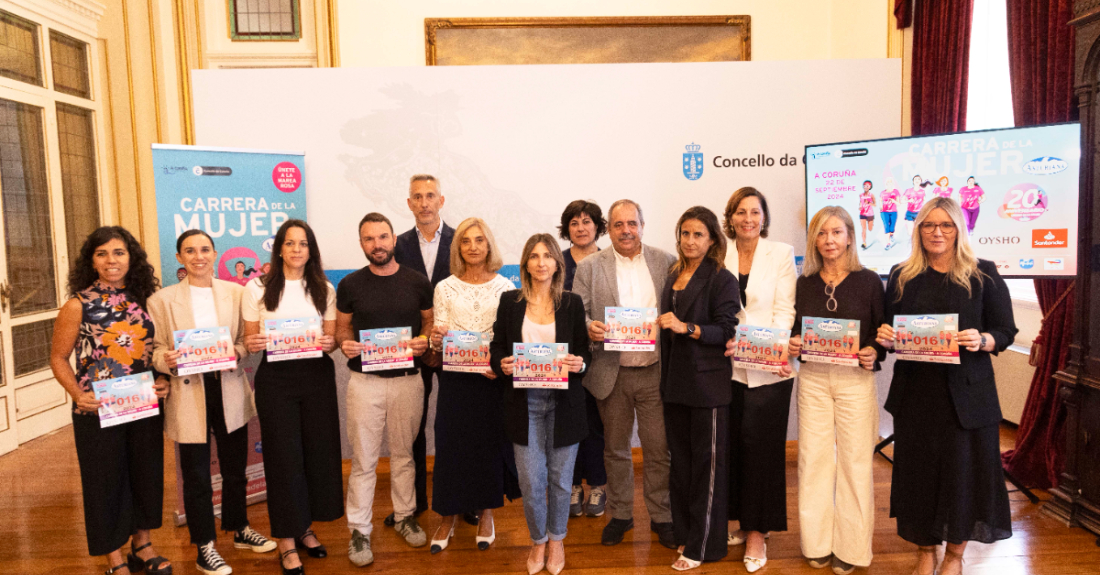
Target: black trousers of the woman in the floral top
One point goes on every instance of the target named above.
(123, 479)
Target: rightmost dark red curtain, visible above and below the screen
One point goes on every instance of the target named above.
(1041, 58)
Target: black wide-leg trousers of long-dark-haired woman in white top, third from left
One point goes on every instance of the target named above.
(300, 424)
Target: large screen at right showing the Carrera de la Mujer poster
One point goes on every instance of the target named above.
(1018, 191)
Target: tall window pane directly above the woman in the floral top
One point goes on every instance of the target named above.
(81, 191)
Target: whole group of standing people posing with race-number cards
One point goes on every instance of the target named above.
(713, 437)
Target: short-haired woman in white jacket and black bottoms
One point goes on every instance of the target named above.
(762, 401)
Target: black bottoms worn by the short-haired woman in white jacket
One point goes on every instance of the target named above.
(758, 456)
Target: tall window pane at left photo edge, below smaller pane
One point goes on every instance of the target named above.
(27, 220)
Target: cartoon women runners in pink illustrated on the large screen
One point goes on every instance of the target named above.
(971, 198)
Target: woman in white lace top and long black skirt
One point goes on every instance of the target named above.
(471, 448)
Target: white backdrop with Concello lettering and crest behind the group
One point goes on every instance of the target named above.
(515, 145)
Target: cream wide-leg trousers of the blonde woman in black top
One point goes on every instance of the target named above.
(839, 425)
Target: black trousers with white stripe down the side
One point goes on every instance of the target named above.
(699, 479)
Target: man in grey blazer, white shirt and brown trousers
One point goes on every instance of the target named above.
(628, 383)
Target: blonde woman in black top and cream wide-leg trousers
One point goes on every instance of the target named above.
(838, 404)
